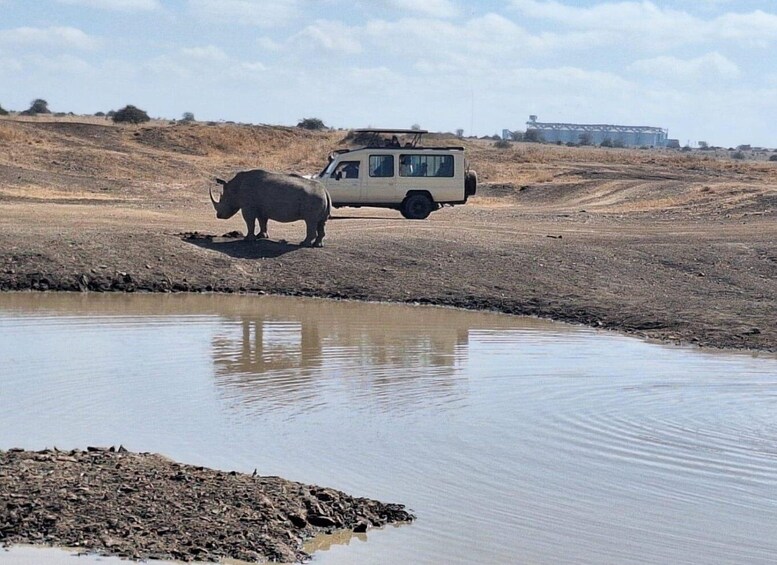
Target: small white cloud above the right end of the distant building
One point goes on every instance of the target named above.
(711, 65)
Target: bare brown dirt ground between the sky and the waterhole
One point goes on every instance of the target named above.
(660, 244)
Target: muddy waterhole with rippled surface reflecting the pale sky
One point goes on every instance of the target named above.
(513, 440)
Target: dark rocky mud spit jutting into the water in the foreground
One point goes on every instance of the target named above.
(144, 506)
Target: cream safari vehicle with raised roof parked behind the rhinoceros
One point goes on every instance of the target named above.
(390, 169)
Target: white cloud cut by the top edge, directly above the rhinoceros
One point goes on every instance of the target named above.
(266, 14)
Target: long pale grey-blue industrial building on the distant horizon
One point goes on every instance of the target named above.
(596, 134)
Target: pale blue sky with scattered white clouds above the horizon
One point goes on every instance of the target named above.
(704, 69)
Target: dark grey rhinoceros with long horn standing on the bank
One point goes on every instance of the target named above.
(263, 195)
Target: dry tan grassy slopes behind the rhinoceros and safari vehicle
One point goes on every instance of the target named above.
(177, 161)
